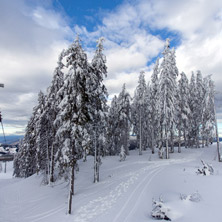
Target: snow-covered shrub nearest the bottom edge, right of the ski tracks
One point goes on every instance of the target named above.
(160, 211)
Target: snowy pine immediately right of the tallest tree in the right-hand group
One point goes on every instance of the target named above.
(182, 109)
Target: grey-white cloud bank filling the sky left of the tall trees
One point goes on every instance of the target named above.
(29, 48)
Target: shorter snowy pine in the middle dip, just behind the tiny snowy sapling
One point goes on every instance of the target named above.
(124, 119)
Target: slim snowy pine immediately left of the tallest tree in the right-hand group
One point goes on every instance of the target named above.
(154, 106)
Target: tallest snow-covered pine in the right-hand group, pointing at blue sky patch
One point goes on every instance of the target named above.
(167, 89)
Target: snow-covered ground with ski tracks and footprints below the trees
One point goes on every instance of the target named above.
(124, 193)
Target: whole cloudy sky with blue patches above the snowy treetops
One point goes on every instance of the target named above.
(33, 33)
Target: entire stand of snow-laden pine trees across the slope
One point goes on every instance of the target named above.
(72, 120)
